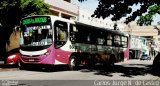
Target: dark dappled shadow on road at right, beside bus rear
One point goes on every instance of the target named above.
(129, 70)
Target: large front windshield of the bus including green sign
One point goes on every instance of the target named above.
(36, 31)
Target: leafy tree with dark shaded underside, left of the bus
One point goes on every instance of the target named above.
(11, 11)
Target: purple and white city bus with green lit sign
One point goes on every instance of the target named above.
(50, 40)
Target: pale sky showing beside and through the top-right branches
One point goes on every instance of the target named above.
(91, 5)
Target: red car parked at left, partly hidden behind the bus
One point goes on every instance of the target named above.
(12, 57)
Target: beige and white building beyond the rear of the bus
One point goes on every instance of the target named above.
(148, 33)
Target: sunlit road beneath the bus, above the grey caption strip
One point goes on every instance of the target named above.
(128, 70)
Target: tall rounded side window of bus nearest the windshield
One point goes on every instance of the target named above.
(60, 33)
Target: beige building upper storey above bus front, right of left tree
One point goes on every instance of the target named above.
(63, 8)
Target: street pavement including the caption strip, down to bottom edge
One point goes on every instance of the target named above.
(128, 70)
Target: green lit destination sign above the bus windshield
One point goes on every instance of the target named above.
(34, 20)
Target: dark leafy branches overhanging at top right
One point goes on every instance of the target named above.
(120, 8)
